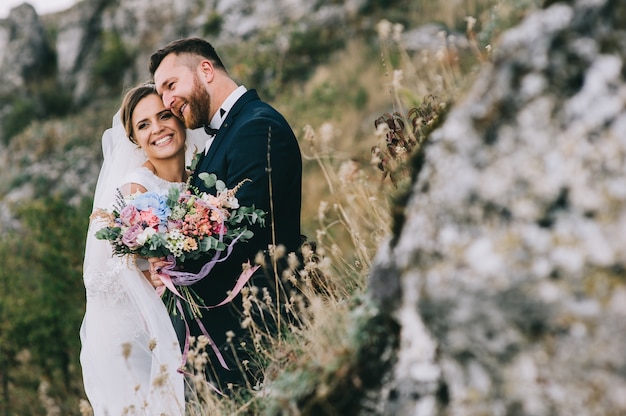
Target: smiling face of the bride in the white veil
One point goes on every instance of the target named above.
(157, 131)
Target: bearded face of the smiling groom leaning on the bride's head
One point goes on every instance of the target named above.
(183, 91)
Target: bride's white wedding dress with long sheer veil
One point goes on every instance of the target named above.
(130, 354)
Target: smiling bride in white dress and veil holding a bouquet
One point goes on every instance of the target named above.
(130, 354)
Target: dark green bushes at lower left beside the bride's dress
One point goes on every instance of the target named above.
(41, 305)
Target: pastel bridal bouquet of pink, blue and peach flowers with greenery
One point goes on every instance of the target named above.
(184, 224)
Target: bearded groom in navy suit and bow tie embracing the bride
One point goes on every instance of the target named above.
(252, 142)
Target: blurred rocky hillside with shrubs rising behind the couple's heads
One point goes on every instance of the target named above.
(62, 74)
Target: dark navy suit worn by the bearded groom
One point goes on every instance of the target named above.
(255, 143)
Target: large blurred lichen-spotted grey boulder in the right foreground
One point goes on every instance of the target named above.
(508, 275)
